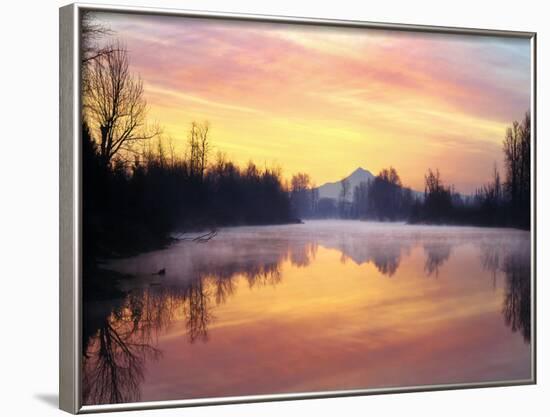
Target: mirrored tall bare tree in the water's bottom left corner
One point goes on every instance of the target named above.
(120, 343)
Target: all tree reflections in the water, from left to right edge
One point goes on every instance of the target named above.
(121, 335)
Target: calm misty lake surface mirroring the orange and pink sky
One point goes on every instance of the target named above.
(326, 305)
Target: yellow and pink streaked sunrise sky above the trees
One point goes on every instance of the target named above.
(327, 100)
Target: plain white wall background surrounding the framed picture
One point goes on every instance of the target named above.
(29, 206)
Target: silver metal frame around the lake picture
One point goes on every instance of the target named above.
(70, 292)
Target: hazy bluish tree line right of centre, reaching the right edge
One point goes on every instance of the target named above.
(500, 202)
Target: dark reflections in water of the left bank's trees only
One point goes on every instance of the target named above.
(121, 336)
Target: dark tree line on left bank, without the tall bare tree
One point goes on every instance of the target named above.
(133, 206)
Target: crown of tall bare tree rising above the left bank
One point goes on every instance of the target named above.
(114, 104)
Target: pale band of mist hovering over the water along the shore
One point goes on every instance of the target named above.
(251, 247)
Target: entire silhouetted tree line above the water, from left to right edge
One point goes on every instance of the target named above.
(136, 193)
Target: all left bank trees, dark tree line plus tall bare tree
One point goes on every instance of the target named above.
(135, 191)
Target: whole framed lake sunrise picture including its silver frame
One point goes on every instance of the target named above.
(262, 208)
